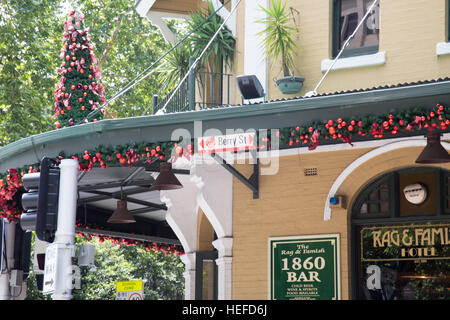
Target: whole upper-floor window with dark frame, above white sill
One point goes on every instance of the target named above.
(347, 14)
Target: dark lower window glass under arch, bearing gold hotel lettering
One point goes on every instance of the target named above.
(390, 270)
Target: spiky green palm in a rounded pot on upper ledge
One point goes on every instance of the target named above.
(279, 43)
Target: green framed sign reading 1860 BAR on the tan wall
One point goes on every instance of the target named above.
(304, 267)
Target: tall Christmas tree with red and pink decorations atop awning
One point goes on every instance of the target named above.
(78, 92)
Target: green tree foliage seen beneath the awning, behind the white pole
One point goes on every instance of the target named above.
(162, 273)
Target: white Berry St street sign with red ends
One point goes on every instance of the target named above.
(224, 143)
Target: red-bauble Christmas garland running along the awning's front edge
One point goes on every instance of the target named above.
(311, 135)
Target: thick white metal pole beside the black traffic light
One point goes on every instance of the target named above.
(65, 233)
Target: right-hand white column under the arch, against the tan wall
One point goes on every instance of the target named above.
(224, 265)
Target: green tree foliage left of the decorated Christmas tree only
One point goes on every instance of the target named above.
(29, 47)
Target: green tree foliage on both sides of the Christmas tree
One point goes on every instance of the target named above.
(31, 31)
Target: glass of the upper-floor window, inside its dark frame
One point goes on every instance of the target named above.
(351, 13)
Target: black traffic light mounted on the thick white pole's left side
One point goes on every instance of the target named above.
(41, 200)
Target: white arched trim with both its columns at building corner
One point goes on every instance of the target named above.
(209, 187)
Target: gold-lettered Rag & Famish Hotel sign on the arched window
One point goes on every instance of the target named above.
(405, 242)
